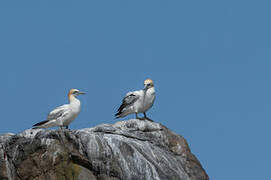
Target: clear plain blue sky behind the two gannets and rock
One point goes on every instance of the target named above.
(210, 62)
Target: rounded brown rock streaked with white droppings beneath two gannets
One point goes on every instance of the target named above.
(126, 150)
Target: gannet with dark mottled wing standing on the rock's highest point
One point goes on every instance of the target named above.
(138, 101)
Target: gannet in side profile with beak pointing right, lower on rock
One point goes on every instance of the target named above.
(63, 115)
